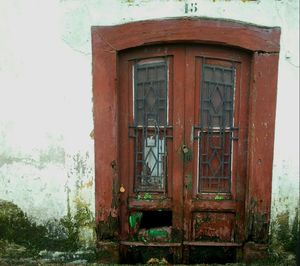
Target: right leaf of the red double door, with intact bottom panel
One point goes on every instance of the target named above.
(215, 128)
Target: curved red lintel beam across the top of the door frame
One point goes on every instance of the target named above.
(212, 31)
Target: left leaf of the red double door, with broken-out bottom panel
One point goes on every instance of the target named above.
(151, 132)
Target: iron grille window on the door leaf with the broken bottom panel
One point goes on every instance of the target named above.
(150, 125)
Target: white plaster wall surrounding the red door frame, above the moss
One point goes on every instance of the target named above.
(46, 93)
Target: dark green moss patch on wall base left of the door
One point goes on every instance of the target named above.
(17, 228)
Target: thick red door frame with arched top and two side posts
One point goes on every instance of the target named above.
(261, 42)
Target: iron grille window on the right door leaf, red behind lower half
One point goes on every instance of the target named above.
(215, 133)
